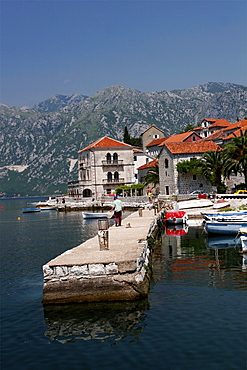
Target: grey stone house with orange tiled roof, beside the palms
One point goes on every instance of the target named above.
(171, 181)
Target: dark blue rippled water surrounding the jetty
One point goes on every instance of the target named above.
(194, 317)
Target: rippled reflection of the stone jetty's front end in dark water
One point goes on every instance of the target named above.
(101, 321)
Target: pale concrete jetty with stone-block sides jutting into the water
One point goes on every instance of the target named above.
(86, 273)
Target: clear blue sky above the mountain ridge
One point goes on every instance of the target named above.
(67, 47)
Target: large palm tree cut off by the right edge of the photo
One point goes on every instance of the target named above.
(235, 156)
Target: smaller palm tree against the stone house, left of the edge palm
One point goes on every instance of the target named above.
(212, 167)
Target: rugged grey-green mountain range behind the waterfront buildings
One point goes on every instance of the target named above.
(39, 145)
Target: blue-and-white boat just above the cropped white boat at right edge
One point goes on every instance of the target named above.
(224, 227)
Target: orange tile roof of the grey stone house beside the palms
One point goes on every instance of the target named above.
(192, 148)
